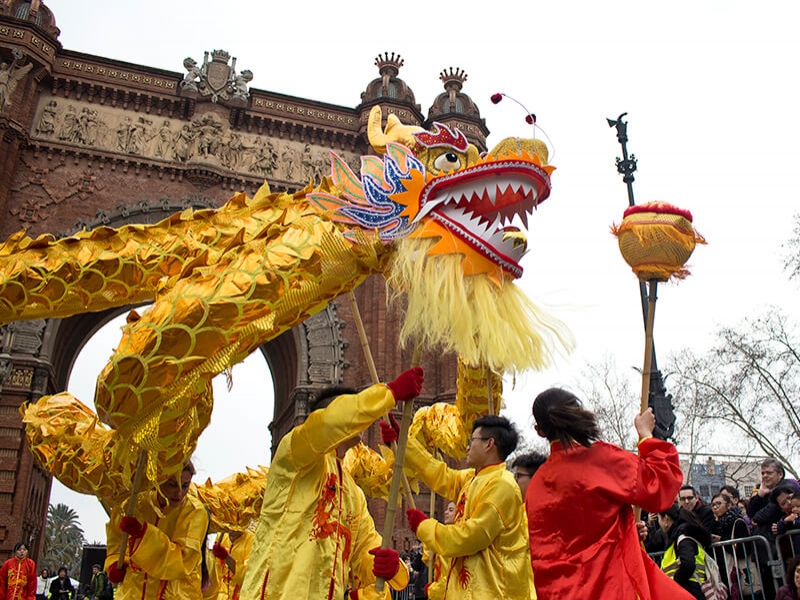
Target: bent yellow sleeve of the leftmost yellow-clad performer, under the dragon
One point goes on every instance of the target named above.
(168, 558)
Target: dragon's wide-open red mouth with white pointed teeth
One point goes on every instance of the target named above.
(478, 203)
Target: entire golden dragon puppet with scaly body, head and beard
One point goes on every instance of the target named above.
(430, 213)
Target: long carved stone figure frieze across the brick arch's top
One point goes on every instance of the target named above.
(206, 139)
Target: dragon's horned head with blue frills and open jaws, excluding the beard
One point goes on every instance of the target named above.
(435, 185)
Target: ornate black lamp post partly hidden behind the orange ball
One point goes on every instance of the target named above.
(659, 400)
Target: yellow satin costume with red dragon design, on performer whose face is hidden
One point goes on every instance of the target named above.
(315, 532)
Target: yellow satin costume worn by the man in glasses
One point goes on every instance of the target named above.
(487, 544)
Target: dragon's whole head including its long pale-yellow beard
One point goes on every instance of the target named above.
(448, 211)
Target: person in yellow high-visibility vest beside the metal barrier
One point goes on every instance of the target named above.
(688, 543)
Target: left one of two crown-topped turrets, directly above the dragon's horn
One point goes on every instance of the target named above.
(391, 92)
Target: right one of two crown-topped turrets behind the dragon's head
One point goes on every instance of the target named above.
(456, 109)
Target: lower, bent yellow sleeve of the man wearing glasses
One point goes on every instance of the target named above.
(477, 532)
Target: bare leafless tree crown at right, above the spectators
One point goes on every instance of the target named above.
(747, 383)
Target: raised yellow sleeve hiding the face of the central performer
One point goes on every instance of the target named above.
(346, 416)
